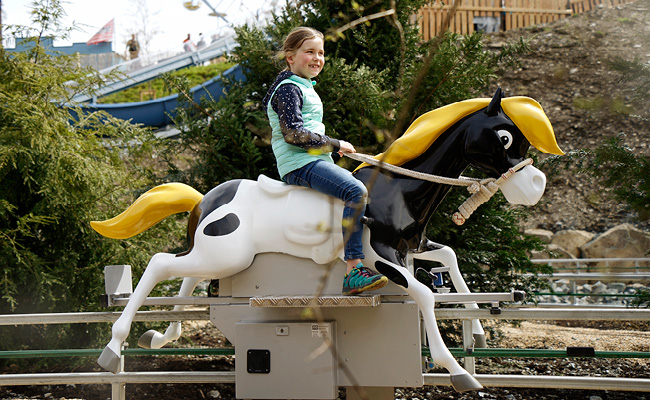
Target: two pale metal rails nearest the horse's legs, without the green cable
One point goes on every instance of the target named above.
(525, 381)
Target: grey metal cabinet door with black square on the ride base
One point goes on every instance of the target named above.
(300, 366)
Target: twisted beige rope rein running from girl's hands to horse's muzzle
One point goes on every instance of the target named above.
(481, 189)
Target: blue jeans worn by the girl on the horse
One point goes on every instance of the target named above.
(332, 180)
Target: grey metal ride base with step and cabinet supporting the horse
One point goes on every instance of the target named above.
(283, 351)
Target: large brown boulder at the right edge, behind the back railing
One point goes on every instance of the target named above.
(622, 241)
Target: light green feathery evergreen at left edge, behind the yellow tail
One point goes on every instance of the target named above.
(58, 173)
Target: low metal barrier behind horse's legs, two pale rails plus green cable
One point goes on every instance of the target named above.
(119, 380)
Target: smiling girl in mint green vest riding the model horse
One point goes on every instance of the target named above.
(304, 153)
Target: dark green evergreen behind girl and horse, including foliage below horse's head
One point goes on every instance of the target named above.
(371, 70)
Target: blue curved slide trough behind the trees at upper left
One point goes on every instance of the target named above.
(155, 113)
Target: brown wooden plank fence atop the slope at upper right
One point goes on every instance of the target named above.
(499, 15)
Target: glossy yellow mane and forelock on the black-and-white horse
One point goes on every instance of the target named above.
(526, 113)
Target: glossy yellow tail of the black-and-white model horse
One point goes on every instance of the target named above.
(149, 209)
